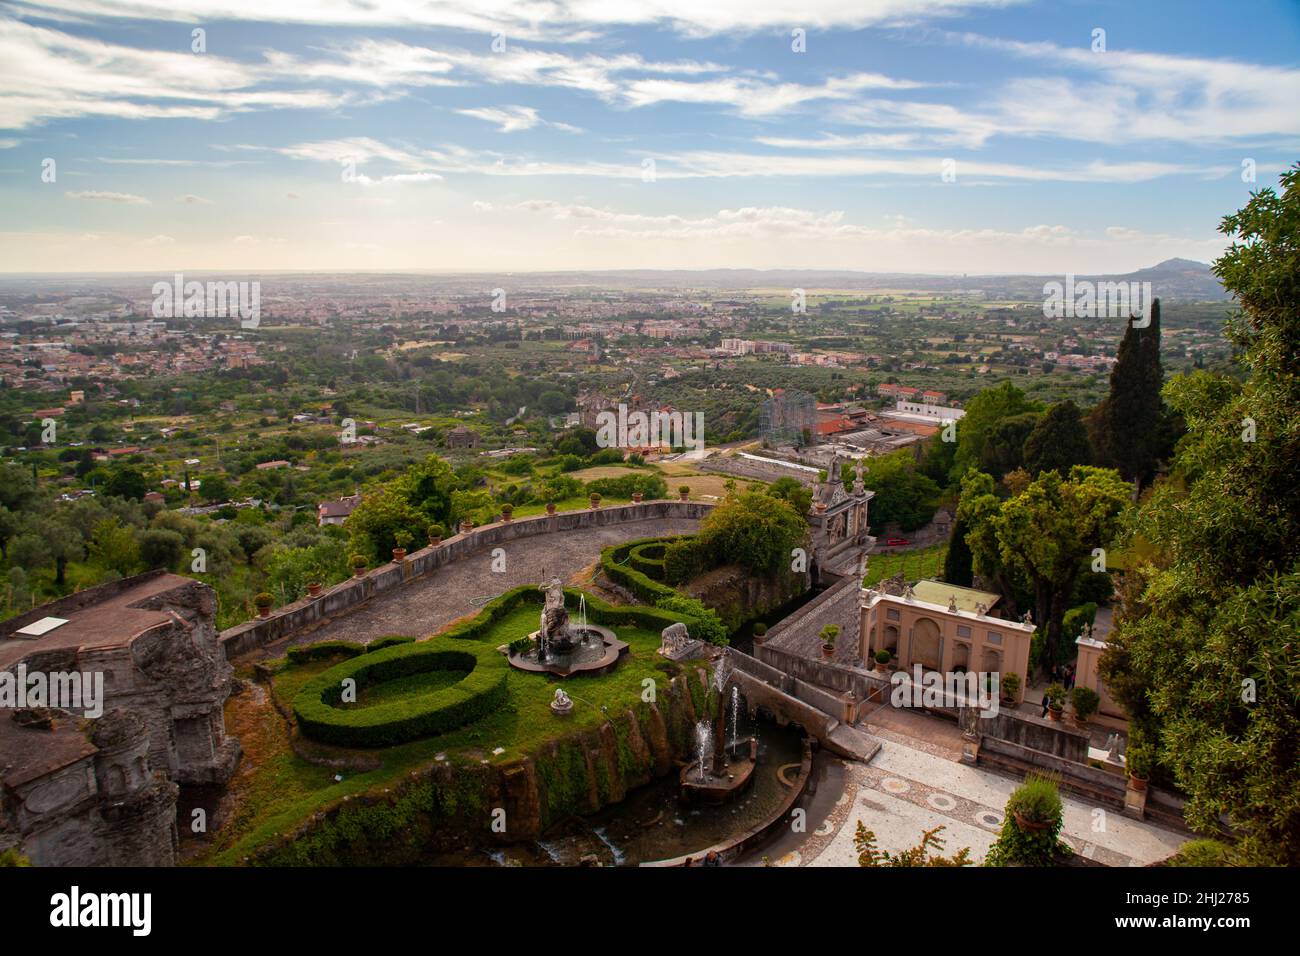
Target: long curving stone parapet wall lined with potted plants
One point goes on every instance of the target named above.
(349, 595)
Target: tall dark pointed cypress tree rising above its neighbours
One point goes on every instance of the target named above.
(1130, 429)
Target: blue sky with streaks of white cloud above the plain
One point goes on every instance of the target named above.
(484, 136)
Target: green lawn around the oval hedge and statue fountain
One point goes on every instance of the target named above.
(285, 790)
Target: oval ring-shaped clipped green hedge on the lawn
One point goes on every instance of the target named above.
(384, 725)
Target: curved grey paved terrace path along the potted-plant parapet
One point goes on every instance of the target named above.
(426, 605)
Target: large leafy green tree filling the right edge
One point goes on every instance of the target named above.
(1204, 648)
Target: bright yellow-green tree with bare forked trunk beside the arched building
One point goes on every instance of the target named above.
(1047, 535)
